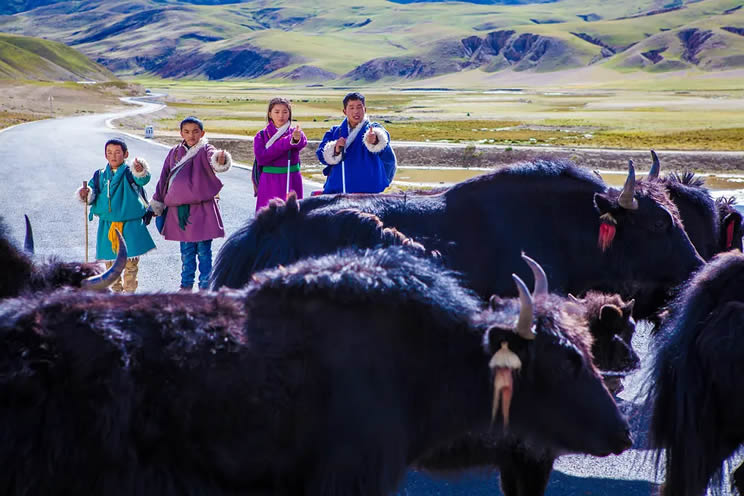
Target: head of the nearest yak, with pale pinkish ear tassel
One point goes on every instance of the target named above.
(546, 387)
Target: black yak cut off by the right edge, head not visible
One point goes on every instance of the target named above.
(695, 388)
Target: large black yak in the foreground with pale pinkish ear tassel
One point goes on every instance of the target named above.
(326, 377)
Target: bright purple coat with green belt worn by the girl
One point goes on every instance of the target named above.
(275, 185)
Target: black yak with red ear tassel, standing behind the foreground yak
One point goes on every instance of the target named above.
(557, 212)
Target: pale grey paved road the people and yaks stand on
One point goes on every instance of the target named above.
(44, 162)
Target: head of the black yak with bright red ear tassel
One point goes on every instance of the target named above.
(643, 243)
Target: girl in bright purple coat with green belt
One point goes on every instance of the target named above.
(277, 150)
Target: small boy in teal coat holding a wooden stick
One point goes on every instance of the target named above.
(116, 197)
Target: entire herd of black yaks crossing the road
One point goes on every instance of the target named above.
(350, 337)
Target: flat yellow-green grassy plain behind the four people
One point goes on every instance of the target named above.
(682, 119)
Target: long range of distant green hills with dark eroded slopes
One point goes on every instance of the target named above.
(384, 41)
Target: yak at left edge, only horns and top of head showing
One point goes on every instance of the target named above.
(20, 274)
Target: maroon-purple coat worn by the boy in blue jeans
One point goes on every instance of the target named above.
(196, 185)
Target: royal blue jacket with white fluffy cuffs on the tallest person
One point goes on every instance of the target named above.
(368, 168)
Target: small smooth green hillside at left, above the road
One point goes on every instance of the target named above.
(23, 57)
